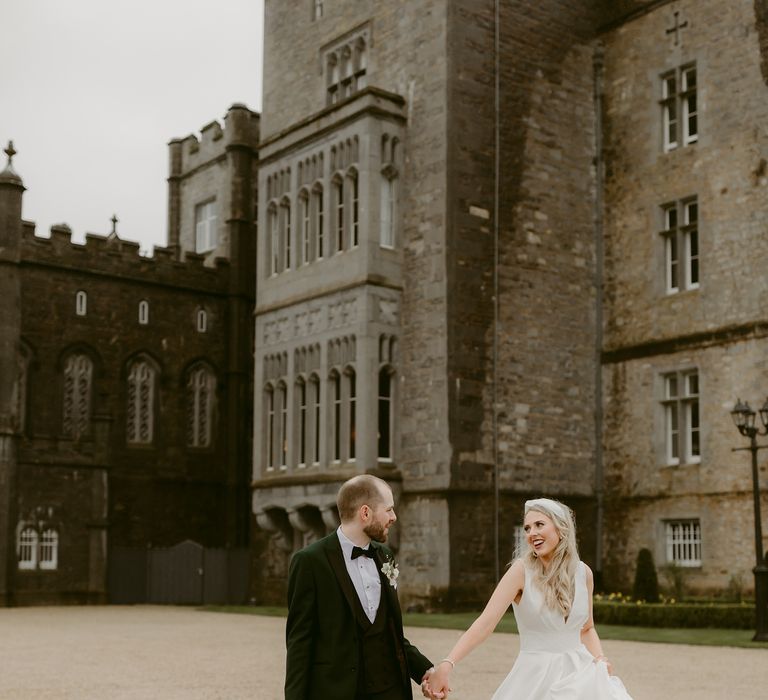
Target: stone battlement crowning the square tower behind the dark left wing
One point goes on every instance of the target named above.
(240, 129)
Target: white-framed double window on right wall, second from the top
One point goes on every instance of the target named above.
(681, 245)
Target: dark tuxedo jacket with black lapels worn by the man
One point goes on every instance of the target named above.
(322, 630)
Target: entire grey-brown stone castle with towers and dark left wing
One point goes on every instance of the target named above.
(493, 250)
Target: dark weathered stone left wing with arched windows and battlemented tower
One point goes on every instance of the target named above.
(95, 455)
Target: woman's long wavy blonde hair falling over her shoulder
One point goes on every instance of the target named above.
(558, 580)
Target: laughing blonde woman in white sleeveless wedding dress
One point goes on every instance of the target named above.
(561, 657)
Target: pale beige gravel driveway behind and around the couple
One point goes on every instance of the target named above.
(170, 653)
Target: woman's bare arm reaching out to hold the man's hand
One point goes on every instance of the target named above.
(510, 586)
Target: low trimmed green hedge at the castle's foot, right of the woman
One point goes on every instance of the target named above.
(717, 615)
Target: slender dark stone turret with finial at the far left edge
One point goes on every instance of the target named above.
(11, 378)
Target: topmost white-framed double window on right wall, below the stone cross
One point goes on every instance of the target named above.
(679, 107)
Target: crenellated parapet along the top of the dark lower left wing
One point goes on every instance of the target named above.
(114, 257)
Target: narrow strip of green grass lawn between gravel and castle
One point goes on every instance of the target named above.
(460, 621)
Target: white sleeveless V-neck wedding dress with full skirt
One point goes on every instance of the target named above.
(553, 663)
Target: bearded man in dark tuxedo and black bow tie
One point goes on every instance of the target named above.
(344, 633)
